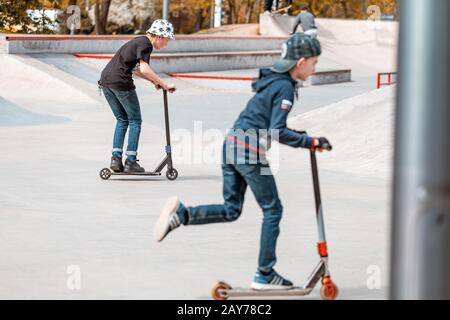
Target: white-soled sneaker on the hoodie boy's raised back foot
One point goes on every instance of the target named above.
(168, 219)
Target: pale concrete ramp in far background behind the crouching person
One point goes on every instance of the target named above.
(366, 47)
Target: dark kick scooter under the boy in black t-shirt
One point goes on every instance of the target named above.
(171, 173)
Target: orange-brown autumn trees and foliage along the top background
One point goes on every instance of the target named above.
(188, 16)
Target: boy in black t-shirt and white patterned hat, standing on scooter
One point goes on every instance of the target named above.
(117, 84)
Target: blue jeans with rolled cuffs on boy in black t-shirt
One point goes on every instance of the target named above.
(126, 109)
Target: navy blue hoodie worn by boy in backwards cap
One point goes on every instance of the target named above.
(269, 109)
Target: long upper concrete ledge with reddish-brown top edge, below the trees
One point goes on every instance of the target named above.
(23, 44)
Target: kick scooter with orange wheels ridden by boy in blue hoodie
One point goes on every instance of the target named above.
(329, 291)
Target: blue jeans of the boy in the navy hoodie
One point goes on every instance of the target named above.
(236, 178)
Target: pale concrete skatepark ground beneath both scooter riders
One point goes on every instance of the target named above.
(56, 212)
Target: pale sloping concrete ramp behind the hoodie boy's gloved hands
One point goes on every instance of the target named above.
(360, 129)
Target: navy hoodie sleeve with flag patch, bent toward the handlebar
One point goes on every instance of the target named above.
(283, 102)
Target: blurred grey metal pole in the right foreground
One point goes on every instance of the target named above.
(420, 256)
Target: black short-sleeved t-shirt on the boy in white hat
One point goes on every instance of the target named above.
(118, 73)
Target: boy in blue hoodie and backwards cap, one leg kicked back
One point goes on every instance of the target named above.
(244, 163)
